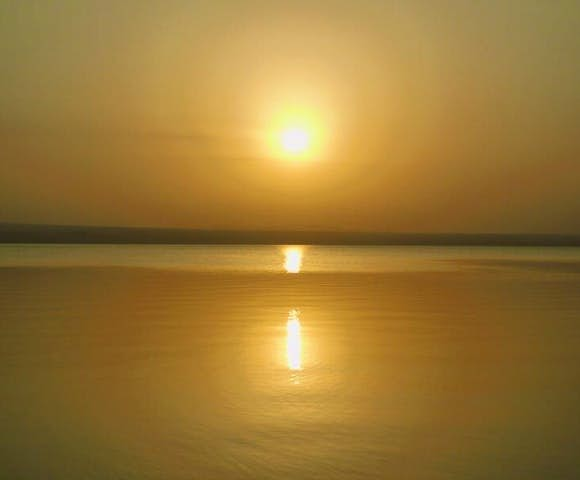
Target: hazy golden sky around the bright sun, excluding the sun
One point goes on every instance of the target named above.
(439, 116)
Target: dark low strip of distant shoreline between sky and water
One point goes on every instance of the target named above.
(65, 234)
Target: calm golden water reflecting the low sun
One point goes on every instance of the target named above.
(174, 362)
